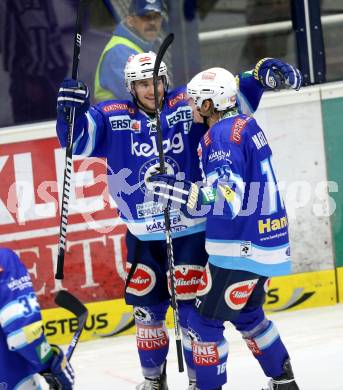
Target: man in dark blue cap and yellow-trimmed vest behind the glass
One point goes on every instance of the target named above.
(136, 34)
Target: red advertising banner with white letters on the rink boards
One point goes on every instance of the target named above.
(31, 181)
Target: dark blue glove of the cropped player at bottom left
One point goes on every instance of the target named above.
(60, 375)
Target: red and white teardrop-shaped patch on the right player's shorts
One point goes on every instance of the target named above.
(237, 295)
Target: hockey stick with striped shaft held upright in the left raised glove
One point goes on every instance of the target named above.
(69, 150)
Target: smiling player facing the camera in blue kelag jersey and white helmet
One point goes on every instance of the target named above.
(125, 133)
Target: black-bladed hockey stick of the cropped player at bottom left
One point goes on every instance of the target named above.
(71, 303)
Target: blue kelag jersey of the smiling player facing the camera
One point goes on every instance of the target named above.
(127, 137)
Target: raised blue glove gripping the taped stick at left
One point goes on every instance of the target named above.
(72, 93)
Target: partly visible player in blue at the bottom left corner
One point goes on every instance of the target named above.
(24, 349)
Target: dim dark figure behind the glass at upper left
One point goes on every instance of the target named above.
(33, 55)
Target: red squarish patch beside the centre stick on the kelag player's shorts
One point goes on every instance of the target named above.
(187, 279)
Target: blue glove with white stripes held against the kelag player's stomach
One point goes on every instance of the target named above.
(179, 194)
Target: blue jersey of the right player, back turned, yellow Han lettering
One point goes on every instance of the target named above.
(246, 228)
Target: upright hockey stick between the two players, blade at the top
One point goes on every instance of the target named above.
(163, 48)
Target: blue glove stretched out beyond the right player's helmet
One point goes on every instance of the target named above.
(275, 74)
